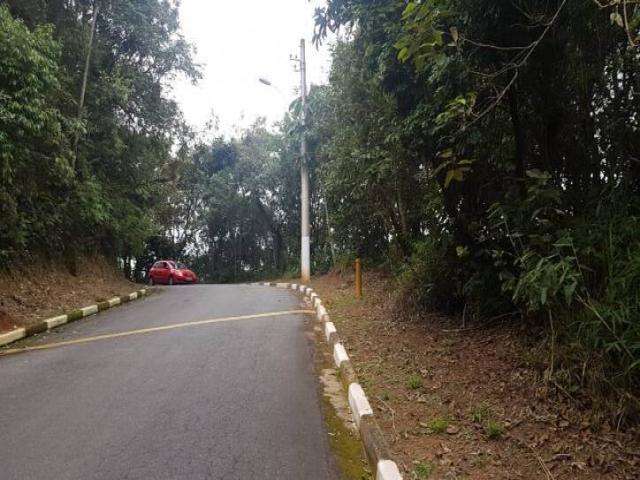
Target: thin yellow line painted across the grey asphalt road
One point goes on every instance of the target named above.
(129, 333)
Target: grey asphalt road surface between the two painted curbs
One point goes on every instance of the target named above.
(230, 400)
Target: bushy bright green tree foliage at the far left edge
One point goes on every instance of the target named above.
(34, 153)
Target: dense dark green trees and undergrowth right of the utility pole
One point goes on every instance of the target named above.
(488, 150)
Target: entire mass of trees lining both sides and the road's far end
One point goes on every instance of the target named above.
(485, 152)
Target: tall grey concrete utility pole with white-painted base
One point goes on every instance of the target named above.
(305, 250)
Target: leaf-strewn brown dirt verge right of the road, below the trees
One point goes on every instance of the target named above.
(467, 403)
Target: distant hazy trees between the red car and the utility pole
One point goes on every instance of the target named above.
(233, 215)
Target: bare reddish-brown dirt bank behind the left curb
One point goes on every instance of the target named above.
(46, 289)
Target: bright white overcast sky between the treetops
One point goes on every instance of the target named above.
(239, 42)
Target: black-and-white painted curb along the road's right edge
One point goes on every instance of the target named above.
(374, 443)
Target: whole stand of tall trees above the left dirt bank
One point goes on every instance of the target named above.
(81, 171)
